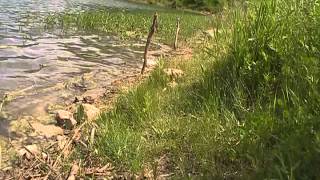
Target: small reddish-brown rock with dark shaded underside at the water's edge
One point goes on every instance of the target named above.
(65, 119)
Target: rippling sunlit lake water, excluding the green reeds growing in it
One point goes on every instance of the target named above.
(34, 62)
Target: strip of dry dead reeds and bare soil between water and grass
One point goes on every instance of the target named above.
(105, 103)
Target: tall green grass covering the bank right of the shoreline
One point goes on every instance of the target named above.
(248, 106)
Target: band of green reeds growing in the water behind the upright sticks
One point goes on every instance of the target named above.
(131, 23)
